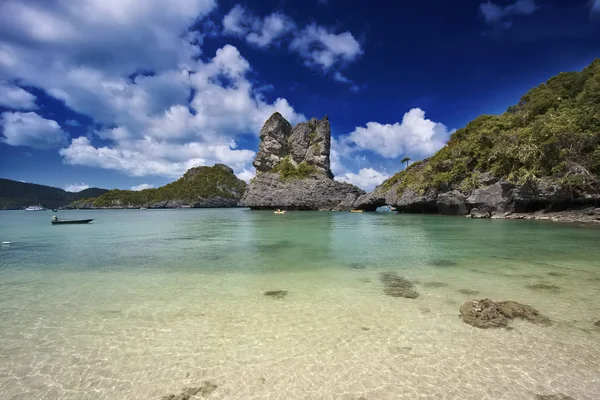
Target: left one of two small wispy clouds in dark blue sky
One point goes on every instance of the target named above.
(259, 32)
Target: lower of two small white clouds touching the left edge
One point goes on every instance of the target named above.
(29, 129)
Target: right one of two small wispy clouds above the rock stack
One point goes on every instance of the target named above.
(323, 48)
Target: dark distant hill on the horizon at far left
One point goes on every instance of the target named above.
(16, 195)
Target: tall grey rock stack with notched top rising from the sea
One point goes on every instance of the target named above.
(293, 169)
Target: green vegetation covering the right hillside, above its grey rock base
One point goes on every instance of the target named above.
(553, 135)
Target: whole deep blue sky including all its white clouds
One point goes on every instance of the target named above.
(131, 93)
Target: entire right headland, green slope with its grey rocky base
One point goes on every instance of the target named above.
(542, 154)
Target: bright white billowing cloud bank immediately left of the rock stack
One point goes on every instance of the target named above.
(177, 139)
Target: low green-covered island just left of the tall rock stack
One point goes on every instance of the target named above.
(195, 185)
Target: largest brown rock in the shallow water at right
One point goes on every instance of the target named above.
(489, 314)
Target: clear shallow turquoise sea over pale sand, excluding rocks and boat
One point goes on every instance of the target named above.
(141, 304)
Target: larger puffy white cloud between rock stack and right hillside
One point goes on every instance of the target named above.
(415, 136)
